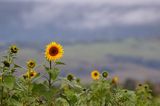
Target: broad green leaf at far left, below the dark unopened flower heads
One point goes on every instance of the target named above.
(9, 81)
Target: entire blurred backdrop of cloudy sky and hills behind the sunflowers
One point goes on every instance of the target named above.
(118, 36)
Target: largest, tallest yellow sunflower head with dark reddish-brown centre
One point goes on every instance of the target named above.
(54, 51)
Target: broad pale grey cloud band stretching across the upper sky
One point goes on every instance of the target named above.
(91, 16)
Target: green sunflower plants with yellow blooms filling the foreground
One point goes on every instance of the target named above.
(29, 89)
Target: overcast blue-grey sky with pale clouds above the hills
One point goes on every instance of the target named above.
(29, 17)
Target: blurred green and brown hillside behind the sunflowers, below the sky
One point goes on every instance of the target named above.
(123, 57)
